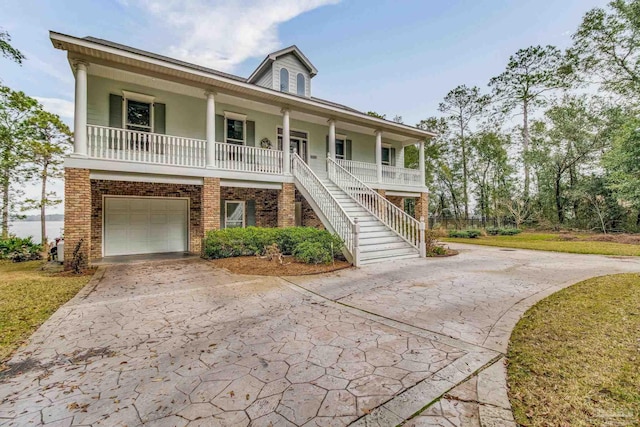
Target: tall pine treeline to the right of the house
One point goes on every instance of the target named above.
(553, 141)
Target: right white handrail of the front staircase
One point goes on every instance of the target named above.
(393, 217)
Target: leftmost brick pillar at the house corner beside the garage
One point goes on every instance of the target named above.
(77, 215)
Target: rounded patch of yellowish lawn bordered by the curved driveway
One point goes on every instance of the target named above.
(574, 358)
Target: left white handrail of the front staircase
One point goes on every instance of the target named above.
(342, 224)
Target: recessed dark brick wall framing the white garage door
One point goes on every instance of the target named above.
(101, 188)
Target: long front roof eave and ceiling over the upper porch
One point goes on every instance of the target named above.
(193, 80)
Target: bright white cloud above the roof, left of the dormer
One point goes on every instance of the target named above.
(222, 34)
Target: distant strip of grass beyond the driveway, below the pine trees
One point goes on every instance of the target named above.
(551, 242)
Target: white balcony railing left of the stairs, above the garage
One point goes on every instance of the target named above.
(128, 145)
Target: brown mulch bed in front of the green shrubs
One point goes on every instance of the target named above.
(263, 267)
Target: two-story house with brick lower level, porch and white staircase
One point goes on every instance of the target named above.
(165, 151)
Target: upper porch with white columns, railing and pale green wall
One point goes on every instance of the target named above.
(150, 120)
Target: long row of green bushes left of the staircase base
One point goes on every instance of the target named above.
(232, 242)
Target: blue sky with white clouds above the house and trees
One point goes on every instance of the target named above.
(390, 56)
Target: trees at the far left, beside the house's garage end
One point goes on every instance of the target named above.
(33, 143)
